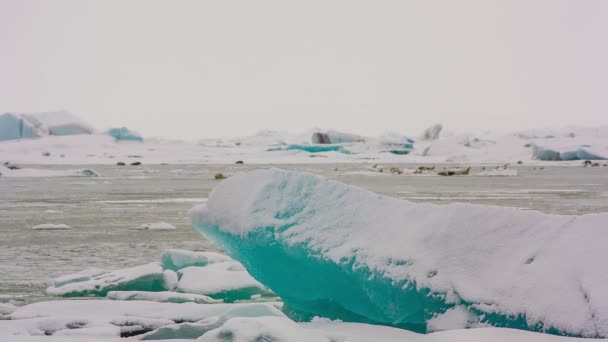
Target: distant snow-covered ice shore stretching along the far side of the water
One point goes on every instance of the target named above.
(274, 147)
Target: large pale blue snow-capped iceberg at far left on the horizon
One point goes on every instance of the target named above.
(33, 125)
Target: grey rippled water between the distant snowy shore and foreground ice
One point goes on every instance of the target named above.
(102, 211)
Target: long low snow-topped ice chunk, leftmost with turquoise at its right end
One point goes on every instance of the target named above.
(96, 282)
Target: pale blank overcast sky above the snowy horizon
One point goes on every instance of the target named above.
(214, 68)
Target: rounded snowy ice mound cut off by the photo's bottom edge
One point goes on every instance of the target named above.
(262, 329)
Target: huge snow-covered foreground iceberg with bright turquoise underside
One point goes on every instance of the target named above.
(337, 251)
